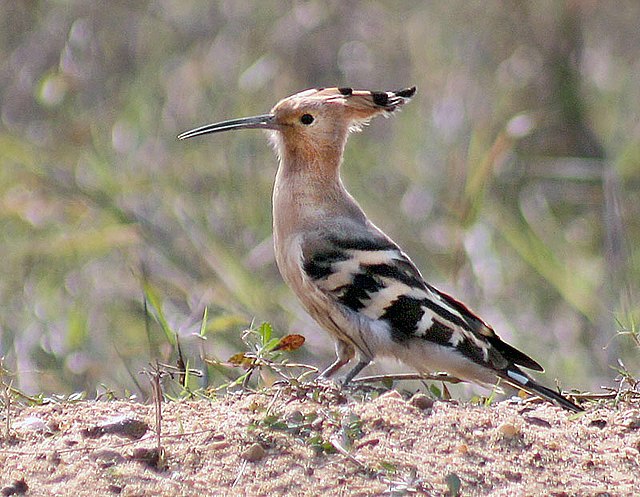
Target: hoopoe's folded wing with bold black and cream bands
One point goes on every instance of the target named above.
(364, 271)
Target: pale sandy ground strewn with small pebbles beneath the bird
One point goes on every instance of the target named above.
(320, 442)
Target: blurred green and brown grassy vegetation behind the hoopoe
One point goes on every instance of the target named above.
(512, 179)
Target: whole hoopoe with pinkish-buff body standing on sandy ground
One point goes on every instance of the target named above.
(351, 277)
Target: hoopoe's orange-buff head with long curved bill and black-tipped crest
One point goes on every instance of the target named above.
(318, 120)
